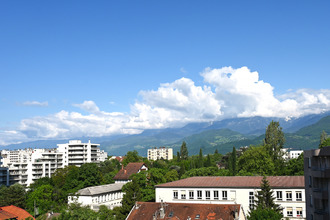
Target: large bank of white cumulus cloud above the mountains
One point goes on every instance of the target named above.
(227, 92)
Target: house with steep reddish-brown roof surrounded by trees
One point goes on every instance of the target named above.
(123, 176)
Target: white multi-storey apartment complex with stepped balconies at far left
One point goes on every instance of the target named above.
(27, 165)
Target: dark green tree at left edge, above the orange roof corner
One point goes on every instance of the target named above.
(13, 195)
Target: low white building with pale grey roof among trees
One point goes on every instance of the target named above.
(109, 195)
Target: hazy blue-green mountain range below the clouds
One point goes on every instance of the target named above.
(300, 133)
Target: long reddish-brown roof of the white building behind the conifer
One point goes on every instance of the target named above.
(236, 182)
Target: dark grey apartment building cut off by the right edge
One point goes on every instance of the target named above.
(317, 183)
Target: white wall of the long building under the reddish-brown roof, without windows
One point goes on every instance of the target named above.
(234, 196)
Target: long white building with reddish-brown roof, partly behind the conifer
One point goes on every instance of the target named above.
(289, 192)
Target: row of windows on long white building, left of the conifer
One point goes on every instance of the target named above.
(200, 194)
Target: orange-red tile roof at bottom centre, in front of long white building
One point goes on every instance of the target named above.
(146, 211)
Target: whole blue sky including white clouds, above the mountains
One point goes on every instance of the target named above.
(98, 68)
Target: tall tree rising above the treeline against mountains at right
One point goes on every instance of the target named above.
(274, 140)
